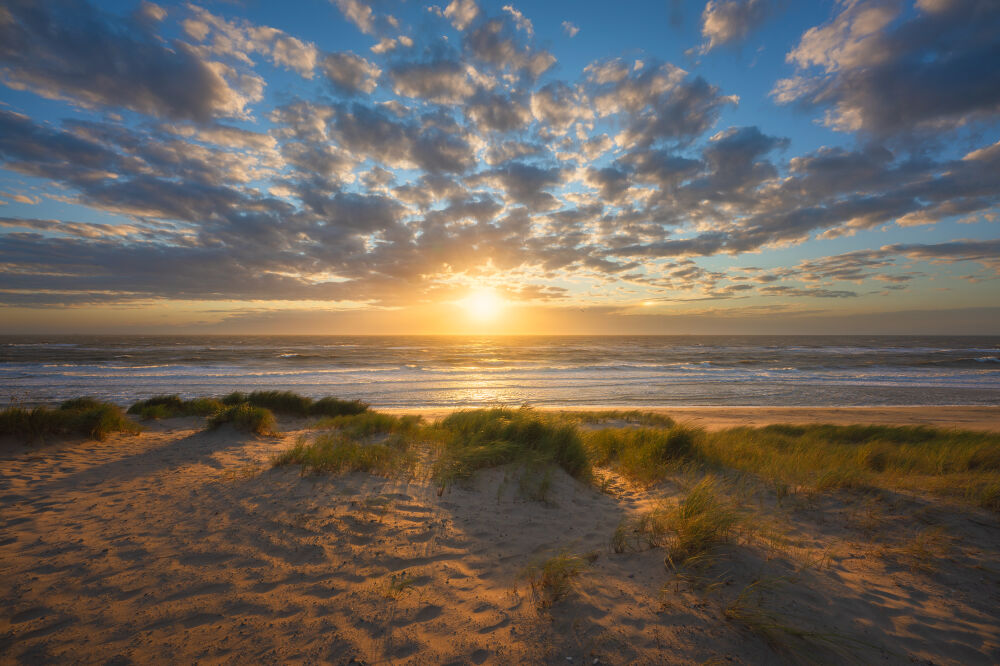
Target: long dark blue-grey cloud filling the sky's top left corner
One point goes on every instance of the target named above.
(65, 51)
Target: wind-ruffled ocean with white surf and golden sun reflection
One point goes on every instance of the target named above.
(402, 371)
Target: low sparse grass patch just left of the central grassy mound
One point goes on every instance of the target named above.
(335, 453)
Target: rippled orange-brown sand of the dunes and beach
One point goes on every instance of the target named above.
(180, 545)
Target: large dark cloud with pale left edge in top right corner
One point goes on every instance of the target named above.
(888, 74)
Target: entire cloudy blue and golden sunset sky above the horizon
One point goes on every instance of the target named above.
(393, 166)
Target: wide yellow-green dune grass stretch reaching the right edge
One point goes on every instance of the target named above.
(789, 459)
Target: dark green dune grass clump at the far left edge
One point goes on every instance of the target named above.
(79, 416)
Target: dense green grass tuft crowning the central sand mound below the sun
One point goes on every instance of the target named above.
(476, 439)
